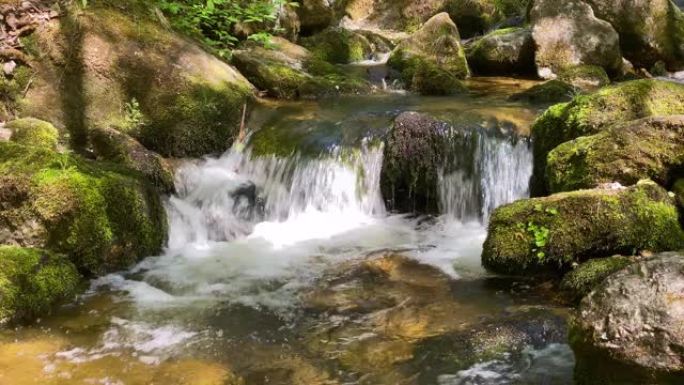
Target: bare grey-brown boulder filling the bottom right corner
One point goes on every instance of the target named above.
(630, 329)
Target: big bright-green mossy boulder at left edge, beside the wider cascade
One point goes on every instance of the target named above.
(103, 217)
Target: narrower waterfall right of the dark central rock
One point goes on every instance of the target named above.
(485, 172)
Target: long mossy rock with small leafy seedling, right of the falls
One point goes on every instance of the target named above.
(548, 234)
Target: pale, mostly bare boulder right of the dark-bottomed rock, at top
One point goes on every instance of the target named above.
(567, 34)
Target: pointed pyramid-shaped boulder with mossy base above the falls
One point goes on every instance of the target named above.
(432, 61)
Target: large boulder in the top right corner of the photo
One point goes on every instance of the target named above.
(650, 30)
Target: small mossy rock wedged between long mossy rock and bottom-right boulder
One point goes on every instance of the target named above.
(585, 277)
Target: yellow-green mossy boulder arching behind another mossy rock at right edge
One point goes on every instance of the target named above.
(590, 114)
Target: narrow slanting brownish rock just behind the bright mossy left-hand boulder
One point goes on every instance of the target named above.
(117, 147)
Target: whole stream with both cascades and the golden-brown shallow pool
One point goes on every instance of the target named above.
(286, 269)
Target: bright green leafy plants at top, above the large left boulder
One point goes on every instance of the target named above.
(214, 21)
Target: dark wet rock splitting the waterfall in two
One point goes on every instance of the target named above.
(414, 151)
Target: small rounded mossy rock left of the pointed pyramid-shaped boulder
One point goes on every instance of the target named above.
(339, 46)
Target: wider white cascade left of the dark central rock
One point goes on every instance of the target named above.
(225, 198)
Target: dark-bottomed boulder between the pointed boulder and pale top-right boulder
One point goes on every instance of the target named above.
(503, 52)
